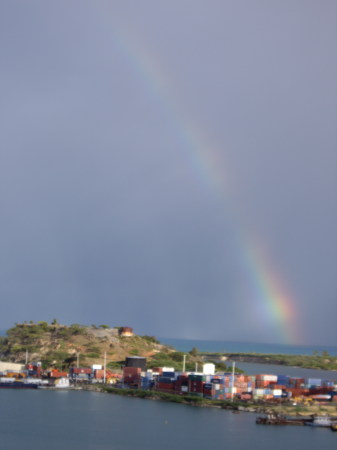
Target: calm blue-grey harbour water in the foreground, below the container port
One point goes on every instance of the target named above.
(52, 420)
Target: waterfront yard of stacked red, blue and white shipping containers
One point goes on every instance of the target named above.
(206, 384)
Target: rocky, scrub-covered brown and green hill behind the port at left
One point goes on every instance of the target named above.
(58, 345)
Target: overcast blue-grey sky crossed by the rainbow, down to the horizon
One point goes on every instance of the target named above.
(170, 166)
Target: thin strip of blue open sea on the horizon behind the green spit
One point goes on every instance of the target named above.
(185, 345)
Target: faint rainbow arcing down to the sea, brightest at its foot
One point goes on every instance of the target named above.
(271, 299)
